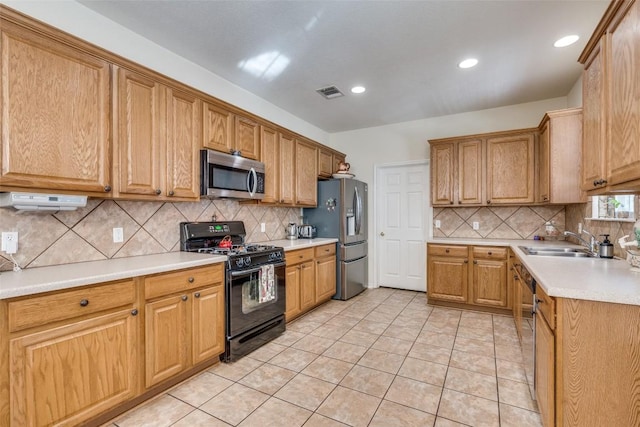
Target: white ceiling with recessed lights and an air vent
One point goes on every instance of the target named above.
(404, 52)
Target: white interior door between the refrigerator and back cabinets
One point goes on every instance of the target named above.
(401, 212)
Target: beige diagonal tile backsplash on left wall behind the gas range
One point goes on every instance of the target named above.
(86, 234)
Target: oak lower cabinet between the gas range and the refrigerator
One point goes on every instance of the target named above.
(310, 278)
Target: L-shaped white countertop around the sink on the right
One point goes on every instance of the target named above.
(594, 279)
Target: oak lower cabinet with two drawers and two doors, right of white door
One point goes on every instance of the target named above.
(470, 275)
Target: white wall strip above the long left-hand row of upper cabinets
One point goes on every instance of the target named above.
(78, 20)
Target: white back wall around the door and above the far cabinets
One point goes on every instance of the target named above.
(402, 142)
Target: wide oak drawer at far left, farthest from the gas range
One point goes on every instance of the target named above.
(40, 310)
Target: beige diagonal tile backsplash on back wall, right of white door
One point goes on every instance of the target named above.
(508, 222)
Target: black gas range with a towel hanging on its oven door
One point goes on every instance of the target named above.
(254, 284)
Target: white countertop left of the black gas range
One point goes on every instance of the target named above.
(57, 277)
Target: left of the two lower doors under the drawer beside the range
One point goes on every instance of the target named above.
(166, 338)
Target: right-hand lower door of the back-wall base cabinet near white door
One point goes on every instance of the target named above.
(489, 286)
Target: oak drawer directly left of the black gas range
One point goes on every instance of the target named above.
(183, 280)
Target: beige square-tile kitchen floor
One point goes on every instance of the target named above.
(383, 358)
